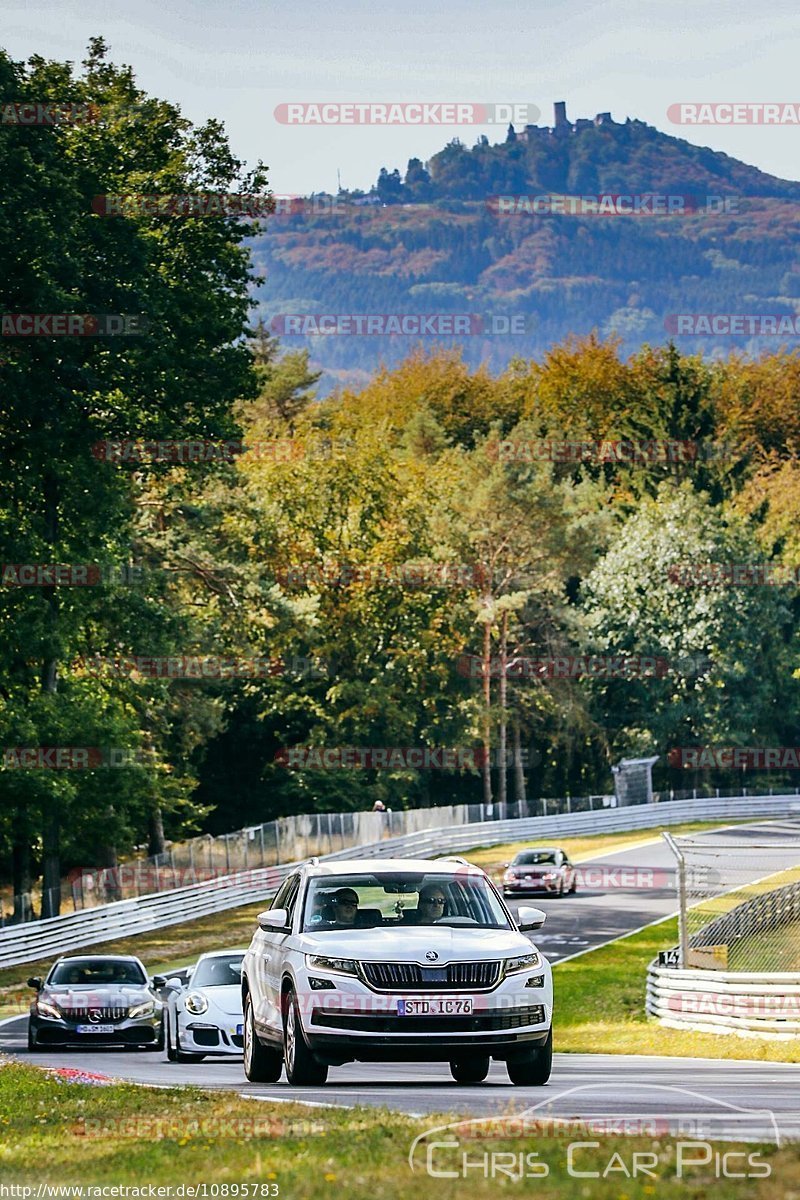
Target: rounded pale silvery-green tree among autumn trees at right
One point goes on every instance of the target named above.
(730, 651)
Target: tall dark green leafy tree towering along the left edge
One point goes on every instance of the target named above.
(188, 280)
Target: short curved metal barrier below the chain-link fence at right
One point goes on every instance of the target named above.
(724, 1001)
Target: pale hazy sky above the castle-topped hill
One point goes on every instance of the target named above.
(239, 61)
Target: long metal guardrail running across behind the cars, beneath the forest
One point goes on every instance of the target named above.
(45, 939)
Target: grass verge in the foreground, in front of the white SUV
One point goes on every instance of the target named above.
(137, 1138)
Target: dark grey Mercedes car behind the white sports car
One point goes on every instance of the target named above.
(100, 999)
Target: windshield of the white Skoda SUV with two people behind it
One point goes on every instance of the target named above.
(395, 901)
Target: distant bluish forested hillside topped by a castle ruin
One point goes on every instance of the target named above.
(434, 242)
